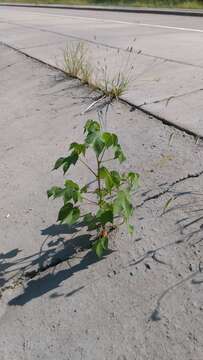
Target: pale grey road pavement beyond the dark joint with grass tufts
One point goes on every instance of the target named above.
(165, 67)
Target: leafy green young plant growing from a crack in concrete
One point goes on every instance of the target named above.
(111, 193)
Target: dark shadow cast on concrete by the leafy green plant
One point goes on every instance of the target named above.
(55, 249)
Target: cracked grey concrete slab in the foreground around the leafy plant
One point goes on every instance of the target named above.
(143, 300)
